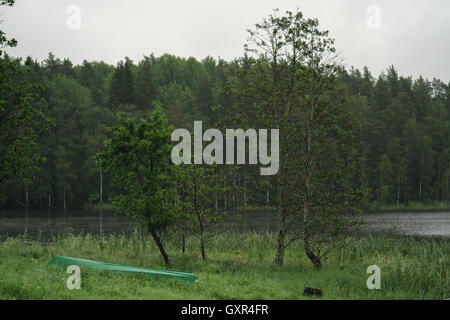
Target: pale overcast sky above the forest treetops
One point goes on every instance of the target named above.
(413, 35)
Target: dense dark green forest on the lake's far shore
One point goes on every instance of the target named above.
(403, 127)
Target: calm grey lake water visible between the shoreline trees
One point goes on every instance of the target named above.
(16, 222)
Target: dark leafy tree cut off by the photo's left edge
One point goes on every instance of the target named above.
(22, 120)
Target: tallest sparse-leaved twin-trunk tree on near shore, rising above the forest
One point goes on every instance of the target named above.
(291, 76)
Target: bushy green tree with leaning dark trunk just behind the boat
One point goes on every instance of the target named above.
(137, 156)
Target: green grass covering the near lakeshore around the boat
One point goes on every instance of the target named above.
(239, 266)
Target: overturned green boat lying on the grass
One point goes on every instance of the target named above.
(96, 265)
